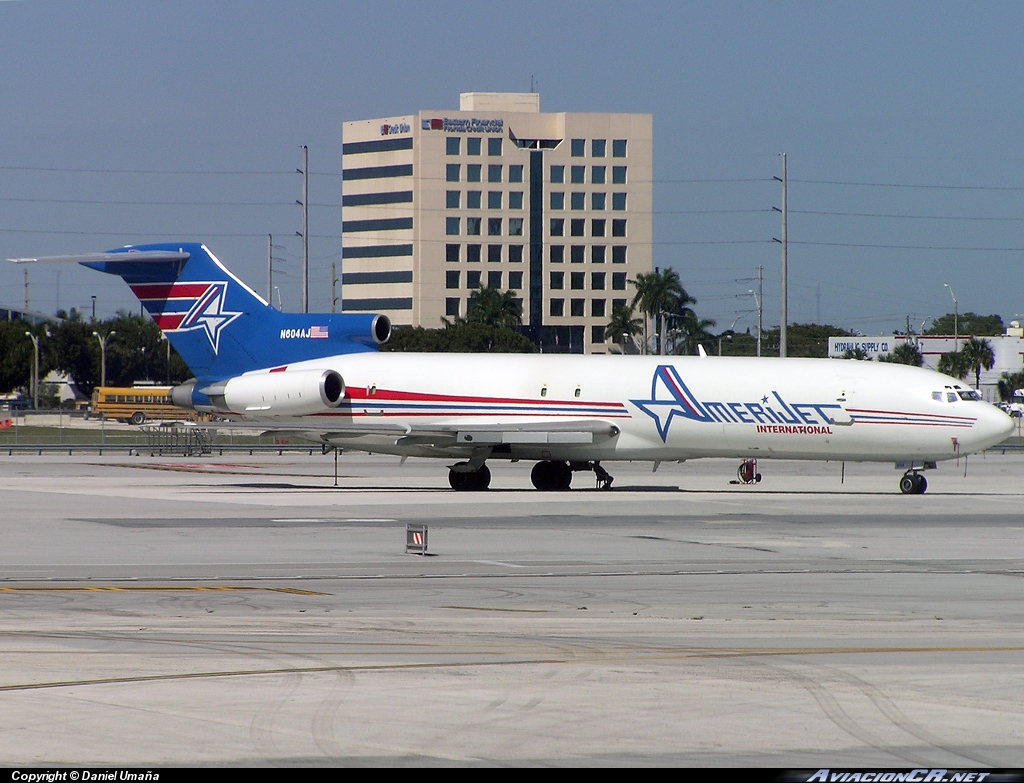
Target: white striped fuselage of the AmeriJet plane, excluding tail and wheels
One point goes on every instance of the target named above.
(642, 408)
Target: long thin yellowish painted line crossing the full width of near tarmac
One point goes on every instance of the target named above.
(480, 665)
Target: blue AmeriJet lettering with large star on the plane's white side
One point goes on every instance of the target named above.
(670, 398)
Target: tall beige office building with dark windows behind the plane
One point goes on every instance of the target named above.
(554, 207)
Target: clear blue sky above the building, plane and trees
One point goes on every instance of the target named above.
(129, 122)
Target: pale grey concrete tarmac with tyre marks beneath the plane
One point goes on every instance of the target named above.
(237, 611)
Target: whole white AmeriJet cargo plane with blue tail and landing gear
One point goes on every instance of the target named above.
(320, 378)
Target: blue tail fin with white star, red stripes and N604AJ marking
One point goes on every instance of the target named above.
(220, 326)
